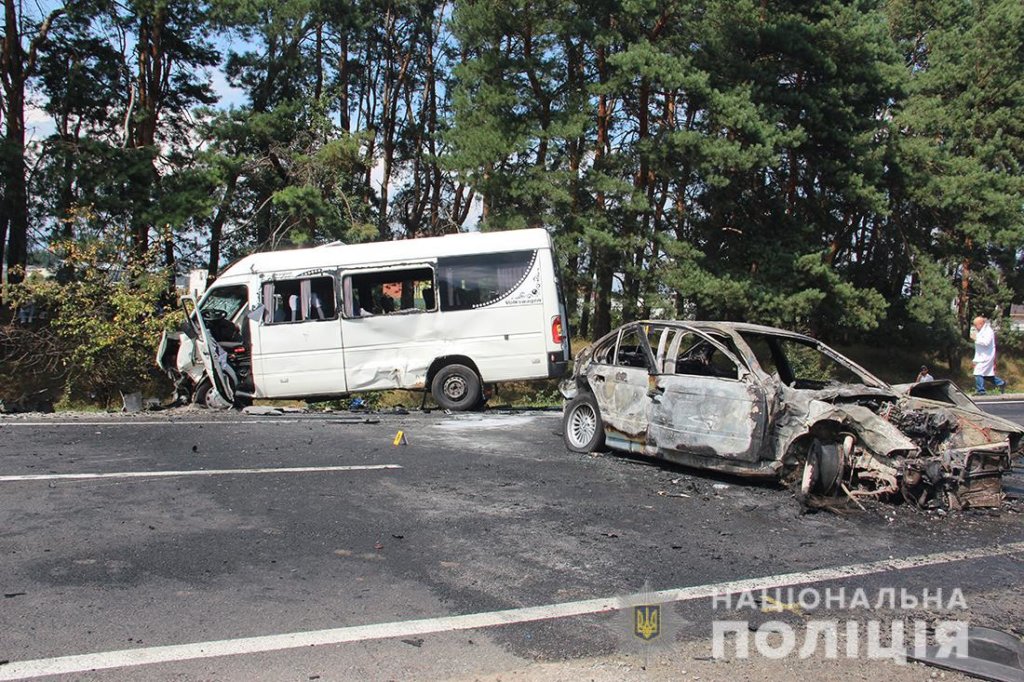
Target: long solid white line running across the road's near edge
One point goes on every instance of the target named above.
(127, 658)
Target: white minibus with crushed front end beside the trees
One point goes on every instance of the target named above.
(343, 319)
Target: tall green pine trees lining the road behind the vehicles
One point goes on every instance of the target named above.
(854, 169)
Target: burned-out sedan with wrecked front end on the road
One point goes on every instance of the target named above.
(766, 403)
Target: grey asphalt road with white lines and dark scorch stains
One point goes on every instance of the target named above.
(477, 547)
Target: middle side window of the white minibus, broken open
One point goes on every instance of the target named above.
(390, 292)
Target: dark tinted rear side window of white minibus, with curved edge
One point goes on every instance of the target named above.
(473, 282)
